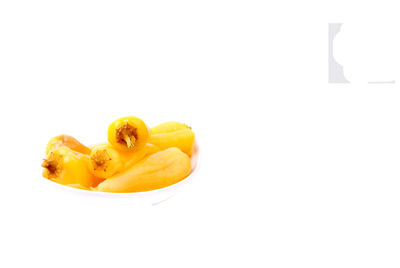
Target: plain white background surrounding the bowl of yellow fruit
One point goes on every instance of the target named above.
(295, 172)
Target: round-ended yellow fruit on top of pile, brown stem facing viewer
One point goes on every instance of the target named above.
(122, 139)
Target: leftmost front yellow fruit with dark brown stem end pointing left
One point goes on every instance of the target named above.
(68, 167)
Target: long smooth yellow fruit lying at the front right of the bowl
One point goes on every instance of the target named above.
(156, 171)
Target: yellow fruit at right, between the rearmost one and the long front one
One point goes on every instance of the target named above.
(182, 139)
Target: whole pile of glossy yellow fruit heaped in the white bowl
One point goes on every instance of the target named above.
(135, 158)
